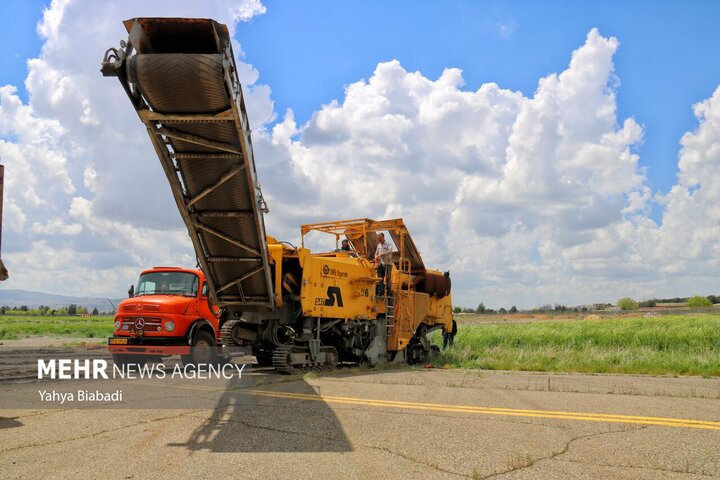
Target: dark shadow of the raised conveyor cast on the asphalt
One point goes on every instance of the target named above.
(265, 424)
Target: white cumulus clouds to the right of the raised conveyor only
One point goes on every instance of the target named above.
(525, 199)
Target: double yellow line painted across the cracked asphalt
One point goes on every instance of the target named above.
(581, 416)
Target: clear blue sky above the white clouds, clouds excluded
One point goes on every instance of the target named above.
(308, 51)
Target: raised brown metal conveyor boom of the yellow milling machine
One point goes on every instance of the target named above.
(181, 77)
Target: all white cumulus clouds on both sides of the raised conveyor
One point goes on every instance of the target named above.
(525, 199)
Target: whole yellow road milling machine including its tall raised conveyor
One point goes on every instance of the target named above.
(292, 308)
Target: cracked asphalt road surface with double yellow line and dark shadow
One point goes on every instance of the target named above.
(388, 424)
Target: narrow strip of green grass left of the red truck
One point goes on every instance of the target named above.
(20, 326)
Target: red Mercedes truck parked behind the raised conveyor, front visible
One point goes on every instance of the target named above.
(169, 313)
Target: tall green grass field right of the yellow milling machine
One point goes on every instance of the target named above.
(671, 345)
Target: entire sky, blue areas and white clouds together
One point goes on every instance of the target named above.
(559, 213)
